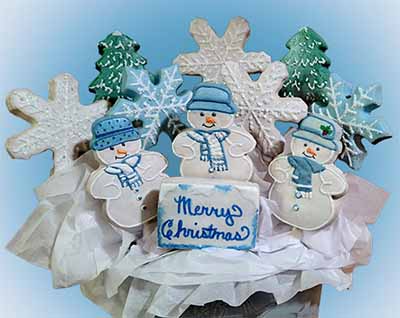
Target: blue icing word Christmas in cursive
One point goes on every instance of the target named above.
(209, 233)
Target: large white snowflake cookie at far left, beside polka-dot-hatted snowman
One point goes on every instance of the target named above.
(59, 124)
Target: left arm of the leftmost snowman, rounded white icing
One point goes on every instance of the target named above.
(102, 185)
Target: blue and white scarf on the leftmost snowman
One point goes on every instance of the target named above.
(126, 172)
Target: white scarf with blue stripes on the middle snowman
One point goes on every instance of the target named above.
(211, 147)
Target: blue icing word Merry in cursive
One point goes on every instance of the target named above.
(184, 207)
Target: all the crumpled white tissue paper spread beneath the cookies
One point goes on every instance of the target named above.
(130, 276)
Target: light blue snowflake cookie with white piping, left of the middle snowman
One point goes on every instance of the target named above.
(155, 103)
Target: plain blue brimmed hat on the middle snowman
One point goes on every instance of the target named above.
(212, 97)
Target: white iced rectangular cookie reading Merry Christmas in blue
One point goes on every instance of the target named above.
(198, 213)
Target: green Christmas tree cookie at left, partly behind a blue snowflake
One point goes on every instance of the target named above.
(117, 51)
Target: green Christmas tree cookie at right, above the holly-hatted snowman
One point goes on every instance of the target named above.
(307, 66)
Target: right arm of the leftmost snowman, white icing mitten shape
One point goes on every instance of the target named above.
(151, 165)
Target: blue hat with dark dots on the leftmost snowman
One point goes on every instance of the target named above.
(111, 131)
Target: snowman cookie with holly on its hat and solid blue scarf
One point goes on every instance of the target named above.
(307, 181)
